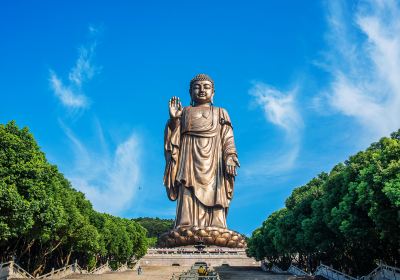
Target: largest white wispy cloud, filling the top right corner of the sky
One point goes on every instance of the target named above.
(364, 62)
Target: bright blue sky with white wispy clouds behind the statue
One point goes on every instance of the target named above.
(306, 85)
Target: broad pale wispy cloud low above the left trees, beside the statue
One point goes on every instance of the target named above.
(109, 180)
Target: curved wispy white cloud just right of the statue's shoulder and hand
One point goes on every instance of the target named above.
(279, 109)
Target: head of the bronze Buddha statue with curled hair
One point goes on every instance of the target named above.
(201, 89)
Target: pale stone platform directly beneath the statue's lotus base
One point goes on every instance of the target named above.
(187, 256)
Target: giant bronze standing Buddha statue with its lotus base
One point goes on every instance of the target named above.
(201, 165)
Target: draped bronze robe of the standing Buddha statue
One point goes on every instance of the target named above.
(196, 149)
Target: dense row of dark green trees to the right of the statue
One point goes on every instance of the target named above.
(349, 218)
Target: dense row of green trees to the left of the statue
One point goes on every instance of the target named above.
(45, 222)
